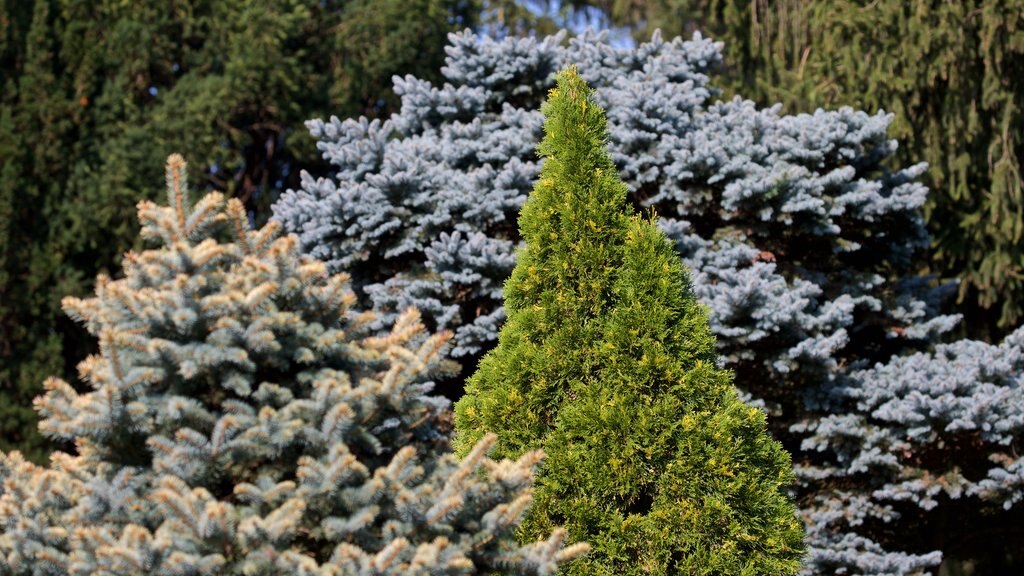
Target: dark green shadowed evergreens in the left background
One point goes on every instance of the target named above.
(97, 94)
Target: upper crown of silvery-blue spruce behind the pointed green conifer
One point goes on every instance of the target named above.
(458, 161)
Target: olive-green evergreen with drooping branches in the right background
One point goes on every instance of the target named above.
(953, 73)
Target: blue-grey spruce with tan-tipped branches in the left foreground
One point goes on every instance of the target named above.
(239, 423)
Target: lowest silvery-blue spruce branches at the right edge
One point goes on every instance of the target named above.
(922, 432)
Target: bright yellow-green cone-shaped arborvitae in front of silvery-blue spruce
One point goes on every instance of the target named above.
(608, 364)
